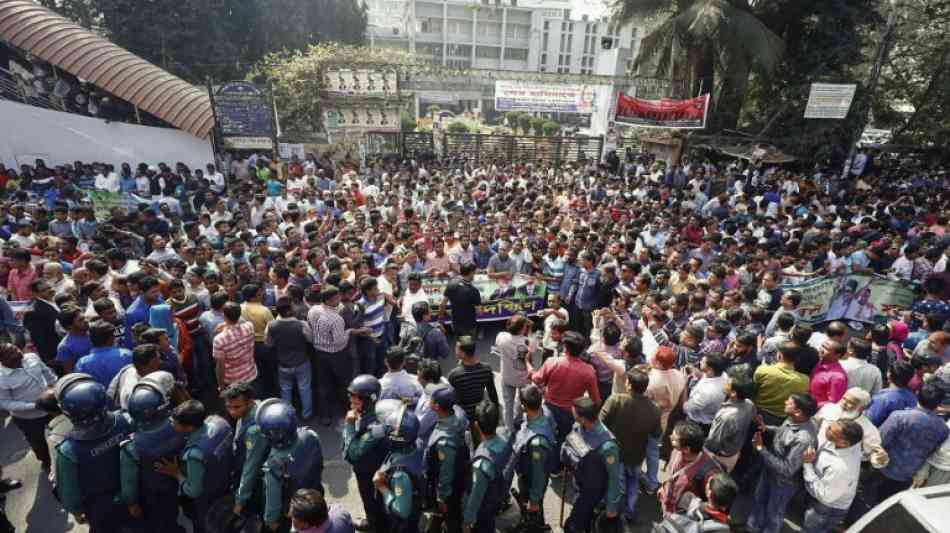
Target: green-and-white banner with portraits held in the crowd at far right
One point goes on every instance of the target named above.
(859, 297)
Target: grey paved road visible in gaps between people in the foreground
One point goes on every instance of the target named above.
(33, 509)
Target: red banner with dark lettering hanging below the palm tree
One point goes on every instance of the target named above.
(664, 113)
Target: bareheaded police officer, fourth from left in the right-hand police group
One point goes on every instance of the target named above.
(484, 500)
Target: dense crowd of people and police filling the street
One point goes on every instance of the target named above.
(179, 353)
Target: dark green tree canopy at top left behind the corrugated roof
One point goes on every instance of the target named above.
(218, 38)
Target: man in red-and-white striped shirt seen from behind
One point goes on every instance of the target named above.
(233, 349)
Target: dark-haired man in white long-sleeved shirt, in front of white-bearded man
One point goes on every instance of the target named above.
(831, 475)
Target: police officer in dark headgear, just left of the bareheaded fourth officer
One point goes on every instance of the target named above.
(446, 458)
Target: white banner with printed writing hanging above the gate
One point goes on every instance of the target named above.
(545, 97)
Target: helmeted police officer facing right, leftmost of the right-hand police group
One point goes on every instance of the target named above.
(365, 446)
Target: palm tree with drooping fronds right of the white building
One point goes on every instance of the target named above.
(721, 41)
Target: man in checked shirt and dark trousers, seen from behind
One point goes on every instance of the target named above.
(330, 339)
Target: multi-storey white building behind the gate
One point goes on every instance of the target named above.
(515, 35)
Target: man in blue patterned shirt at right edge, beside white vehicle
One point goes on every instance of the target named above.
(909, 436)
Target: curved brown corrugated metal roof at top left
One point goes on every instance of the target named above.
(82, 53)
